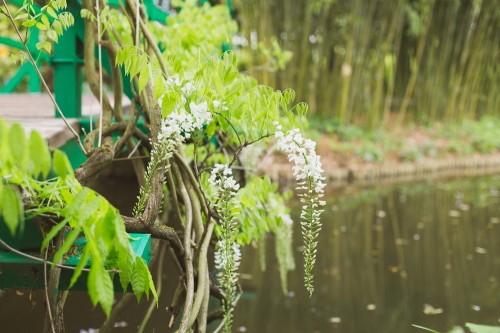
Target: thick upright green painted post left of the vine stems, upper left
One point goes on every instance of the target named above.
(67, 64)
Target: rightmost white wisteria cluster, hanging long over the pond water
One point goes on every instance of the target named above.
(307, 171)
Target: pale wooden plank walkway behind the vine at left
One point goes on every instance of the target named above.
(35, 111)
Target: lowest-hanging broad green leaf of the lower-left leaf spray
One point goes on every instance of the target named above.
(100, 287)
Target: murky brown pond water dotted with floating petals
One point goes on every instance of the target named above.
(424, 253)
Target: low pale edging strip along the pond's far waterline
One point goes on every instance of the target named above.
(277, 168)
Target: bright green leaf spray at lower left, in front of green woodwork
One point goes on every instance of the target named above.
(78, 210)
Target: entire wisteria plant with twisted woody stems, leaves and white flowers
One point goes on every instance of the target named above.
(197, 197)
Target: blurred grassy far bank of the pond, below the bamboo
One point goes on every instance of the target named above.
(395, 153)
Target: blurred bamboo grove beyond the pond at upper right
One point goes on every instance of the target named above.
(368, 62)
